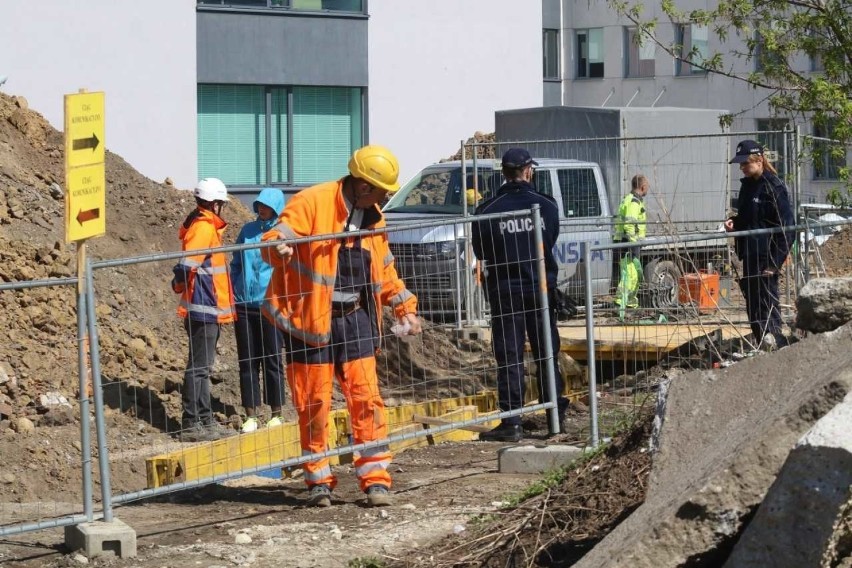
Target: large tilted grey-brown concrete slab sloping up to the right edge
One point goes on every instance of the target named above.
(725, 437)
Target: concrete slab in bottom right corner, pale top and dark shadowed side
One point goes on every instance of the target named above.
(794, 524)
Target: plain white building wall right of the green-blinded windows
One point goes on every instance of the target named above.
(439, 70)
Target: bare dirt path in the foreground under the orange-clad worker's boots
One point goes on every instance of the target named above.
(437, 489)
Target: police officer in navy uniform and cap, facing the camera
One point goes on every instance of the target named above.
(763, 203)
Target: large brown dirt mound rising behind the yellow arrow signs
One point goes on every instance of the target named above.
(143, 344)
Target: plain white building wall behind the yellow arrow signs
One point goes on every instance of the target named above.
(142, 58)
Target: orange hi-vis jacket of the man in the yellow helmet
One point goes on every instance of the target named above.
(298, 299)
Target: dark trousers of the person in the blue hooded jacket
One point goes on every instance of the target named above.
(259, 345)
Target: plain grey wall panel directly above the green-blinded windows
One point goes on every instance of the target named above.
(282, 49)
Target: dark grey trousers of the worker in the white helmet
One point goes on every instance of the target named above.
(196, 379)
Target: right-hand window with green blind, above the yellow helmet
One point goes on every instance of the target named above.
(326, 124)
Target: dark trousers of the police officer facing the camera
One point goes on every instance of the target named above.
(761, 296)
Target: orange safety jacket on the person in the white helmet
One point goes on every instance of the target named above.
(203, 280)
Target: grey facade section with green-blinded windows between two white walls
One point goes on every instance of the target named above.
(282, 89)
